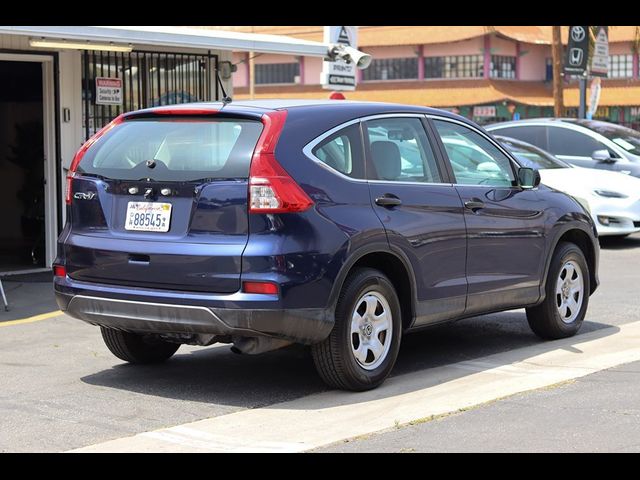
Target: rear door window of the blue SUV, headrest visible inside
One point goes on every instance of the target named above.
(401, 152)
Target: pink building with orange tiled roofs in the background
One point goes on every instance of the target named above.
(487, 74)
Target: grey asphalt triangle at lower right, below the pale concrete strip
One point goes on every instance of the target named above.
(595, 413)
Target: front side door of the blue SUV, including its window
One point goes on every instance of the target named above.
(505, 224)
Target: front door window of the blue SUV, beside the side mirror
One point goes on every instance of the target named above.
(474, 159)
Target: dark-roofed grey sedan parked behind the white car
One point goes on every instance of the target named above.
(584, 143)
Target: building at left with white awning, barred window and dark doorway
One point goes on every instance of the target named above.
(58, 85)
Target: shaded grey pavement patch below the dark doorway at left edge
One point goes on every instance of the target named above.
(28, 295)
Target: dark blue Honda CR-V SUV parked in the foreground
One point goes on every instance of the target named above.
(339, 225)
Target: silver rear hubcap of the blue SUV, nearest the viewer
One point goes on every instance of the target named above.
(371, 330)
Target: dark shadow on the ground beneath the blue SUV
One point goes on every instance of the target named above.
(218, 376)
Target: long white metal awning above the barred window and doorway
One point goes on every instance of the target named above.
(183, 37)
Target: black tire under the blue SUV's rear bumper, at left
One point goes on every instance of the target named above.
(138, 349)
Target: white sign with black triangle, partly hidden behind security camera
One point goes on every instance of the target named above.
(338, 74)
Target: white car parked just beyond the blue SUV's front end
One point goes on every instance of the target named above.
(612, 198)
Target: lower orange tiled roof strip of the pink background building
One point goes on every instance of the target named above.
(458, 93)
